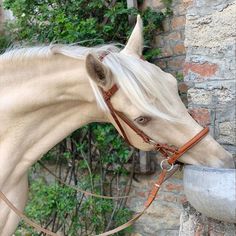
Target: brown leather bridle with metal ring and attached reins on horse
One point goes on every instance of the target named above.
(170, 153)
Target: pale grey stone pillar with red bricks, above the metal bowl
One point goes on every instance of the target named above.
(210, 66)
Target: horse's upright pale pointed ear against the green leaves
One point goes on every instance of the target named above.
(134, 45)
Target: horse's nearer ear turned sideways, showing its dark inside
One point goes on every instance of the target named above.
(98, 72)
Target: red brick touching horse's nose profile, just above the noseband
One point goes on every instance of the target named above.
(201, 115)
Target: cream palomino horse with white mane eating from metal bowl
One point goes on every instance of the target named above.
(48, 92)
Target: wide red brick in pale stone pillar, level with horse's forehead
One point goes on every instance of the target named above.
(205, 69)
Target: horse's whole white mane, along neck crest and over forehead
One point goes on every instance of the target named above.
(140, 81)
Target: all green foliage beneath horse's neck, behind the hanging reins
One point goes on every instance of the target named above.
(93, 159)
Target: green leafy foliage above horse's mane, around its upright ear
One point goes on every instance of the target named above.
(87, 22)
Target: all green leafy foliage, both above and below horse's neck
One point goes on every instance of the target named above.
(94, 158)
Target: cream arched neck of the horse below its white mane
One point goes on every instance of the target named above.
(42, 102)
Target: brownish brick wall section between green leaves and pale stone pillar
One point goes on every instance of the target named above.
(171, 41)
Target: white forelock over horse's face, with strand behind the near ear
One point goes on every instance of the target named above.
(145, 84)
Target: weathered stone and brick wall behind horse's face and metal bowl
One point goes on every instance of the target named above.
(207, 62)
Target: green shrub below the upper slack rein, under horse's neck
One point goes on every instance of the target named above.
(54, 203)
